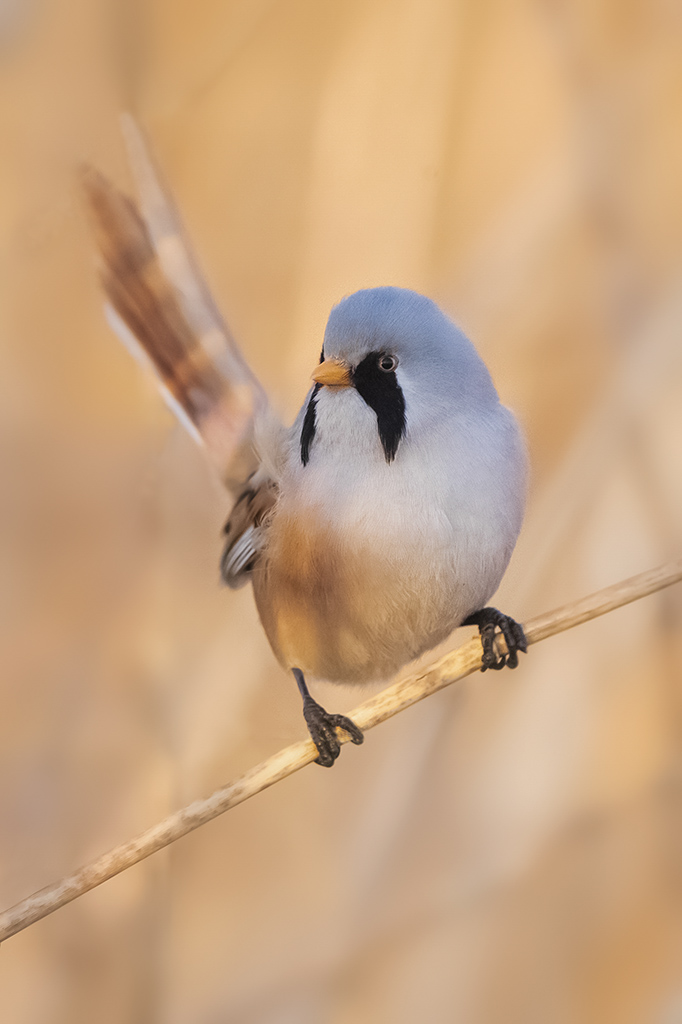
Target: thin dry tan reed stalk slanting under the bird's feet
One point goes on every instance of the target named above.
(390, 702)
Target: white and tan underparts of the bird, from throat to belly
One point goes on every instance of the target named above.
(407, 549)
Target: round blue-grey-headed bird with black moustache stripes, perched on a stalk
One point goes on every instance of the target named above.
(387, 516)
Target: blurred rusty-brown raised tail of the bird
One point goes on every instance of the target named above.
(159, 303)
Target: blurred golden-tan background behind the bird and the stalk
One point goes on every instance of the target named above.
(505, 854)
